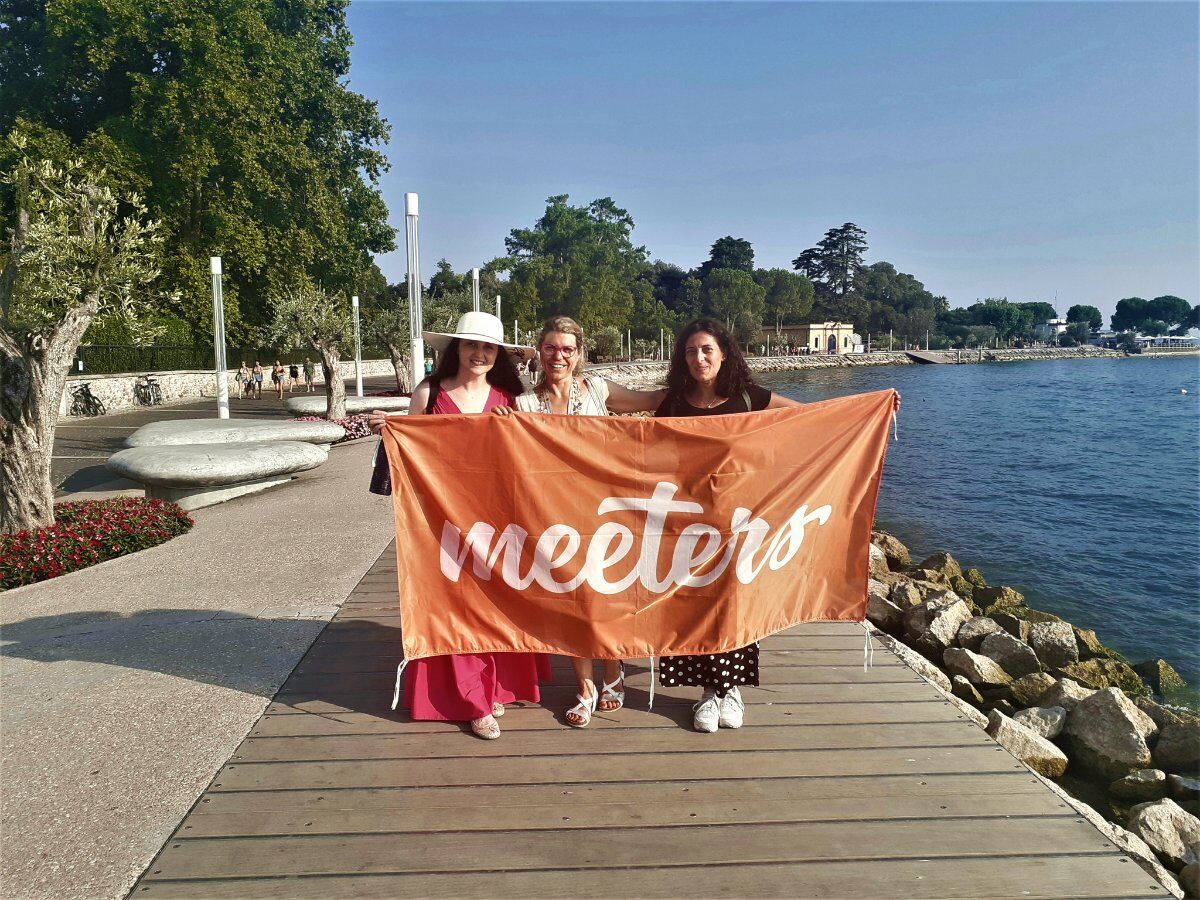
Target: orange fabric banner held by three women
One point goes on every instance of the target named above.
(622, 538)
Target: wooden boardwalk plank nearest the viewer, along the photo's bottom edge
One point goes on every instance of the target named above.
(1054, 877)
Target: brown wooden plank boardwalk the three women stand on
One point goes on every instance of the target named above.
(843, 784)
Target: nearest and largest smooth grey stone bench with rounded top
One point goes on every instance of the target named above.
(196, 476)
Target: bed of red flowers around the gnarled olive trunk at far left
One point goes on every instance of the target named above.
(86, 533)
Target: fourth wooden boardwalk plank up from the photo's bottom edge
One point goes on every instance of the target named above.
(471, 770)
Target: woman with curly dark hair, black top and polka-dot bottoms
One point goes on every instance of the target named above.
(710, 376)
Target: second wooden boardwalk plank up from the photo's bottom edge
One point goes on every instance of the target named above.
(551, 849)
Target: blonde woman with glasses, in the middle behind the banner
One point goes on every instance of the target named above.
(563, 389)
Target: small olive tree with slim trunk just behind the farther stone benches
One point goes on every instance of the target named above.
(308, 315)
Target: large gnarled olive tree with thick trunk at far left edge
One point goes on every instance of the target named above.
(77, 253)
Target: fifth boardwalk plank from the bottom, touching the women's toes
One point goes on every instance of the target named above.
(633, 741)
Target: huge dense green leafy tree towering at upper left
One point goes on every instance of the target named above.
(235, 121)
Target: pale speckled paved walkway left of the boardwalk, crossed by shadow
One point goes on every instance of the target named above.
(128, 686)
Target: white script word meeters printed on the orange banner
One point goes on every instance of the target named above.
(698, 559)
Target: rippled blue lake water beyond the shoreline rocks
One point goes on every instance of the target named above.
(1075, 482)
